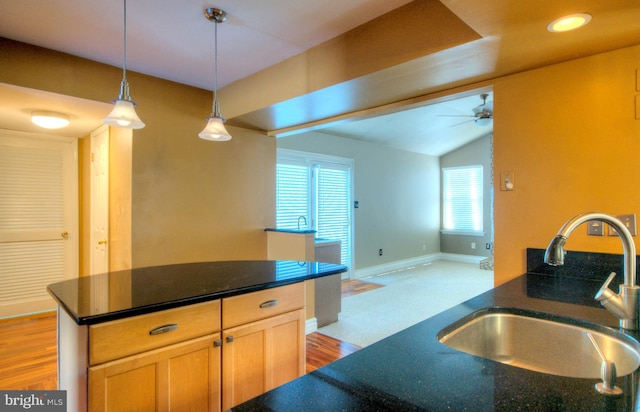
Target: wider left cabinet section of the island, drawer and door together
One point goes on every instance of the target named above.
(157, 362)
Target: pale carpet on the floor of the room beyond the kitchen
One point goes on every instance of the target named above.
(410, 296)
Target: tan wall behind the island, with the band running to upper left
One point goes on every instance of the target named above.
(191, 199)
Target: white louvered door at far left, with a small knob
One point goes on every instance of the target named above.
(38, 218)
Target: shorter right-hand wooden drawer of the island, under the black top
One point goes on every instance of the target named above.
(250, 307)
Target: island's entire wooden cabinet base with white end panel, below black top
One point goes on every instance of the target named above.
(199, 357)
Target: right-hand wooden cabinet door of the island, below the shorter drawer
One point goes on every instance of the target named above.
(261, 355)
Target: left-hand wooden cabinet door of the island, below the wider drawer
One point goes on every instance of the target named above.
(180, 377)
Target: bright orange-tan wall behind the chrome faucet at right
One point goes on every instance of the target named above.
(569, 133)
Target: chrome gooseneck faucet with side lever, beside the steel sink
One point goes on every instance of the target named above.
(623, 305)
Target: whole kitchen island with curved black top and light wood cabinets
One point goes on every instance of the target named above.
(202, 336)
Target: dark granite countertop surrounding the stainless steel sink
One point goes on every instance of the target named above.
(412, 370)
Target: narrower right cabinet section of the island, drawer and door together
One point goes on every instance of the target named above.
(263, 342)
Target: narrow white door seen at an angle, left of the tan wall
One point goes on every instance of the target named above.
(99, 237)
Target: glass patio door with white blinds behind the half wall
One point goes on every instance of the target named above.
(318, 188)
